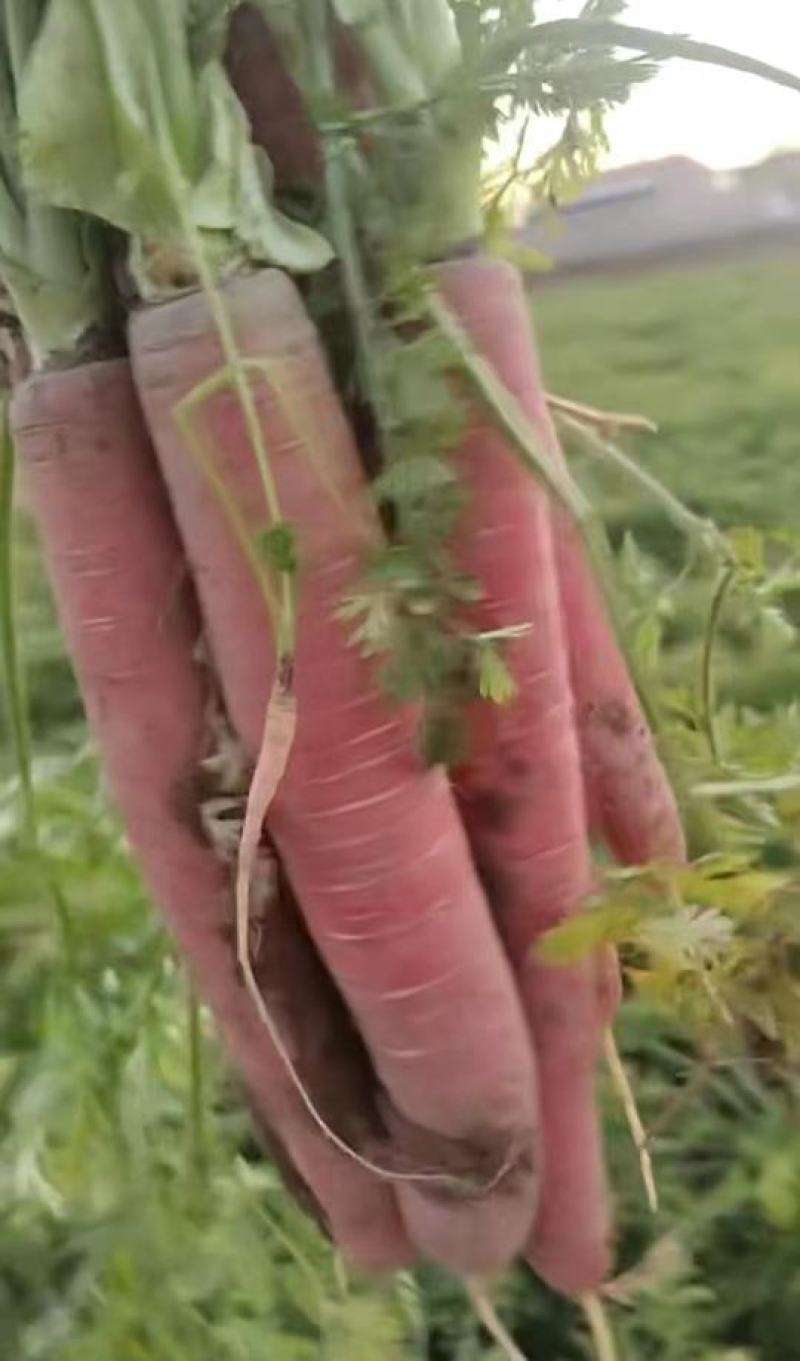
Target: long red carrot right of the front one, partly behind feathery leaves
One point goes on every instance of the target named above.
(522, 791)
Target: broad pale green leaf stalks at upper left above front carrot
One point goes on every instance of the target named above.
(153, 120)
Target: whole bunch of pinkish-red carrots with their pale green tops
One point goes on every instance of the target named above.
(222, 228)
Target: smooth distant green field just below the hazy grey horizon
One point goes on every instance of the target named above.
(711, 355)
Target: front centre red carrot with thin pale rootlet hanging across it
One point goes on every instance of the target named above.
(371, 840)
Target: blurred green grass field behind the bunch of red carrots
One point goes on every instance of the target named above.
(138, 1221)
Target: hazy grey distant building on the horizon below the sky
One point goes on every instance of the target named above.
(671, 208)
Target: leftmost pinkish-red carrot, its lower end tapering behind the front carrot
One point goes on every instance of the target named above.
(119, 574)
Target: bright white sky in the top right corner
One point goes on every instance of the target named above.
(719, 118)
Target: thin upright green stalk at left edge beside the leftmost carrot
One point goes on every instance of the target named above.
(13, 680)
